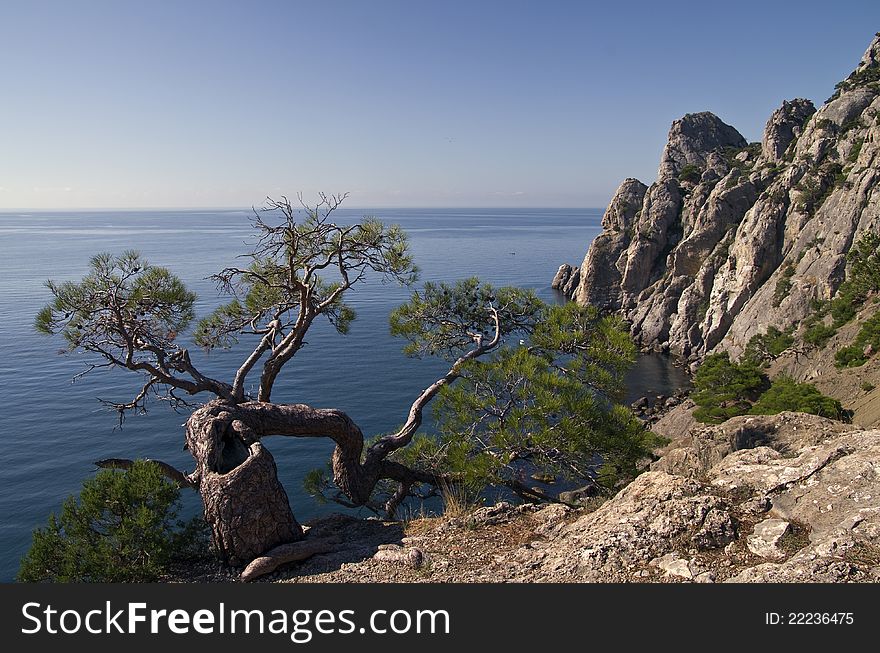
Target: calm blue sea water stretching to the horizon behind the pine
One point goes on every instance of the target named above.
(53, 429)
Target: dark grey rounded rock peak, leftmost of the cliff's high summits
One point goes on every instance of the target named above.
(692, 138)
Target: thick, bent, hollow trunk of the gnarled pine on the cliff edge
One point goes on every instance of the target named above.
(245, 504)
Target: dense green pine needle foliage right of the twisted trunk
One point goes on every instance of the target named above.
(548, 403)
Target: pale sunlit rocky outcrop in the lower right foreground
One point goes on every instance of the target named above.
(797, 498)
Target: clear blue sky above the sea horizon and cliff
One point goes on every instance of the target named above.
(410, 103)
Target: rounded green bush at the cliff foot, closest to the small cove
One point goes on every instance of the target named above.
(724, 389)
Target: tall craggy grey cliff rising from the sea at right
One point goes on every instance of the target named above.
(733, 238)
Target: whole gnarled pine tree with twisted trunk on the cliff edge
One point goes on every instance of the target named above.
(131, 314)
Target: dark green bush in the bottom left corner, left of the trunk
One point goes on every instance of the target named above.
(122, 528)
